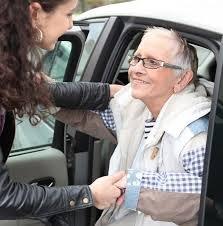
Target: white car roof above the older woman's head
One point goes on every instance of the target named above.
(204, 14)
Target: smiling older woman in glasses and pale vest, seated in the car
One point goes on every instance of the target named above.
(161, 126)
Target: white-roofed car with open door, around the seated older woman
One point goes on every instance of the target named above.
(96, 49)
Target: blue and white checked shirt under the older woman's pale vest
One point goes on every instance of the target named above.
(192, 161)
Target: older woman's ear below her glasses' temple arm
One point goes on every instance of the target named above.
(182, 81)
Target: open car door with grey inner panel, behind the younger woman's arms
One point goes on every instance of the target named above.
(38, 156)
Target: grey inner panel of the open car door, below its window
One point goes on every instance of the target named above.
(48, 165)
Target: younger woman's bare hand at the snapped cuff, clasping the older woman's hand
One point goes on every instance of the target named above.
(104, 191)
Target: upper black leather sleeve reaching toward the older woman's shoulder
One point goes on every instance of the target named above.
(80, 95)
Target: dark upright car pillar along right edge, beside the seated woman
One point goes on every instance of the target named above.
(212, 185)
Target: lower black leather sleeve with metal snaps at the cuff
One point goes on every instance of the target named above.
(18, 200)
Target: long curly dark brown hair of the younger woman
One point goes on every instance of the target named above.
(21, 91)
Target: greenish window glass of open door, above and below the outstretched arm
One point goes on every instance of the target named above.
(28, 136)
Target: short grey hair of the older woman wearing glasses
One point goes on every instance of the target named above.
(185, 55)
